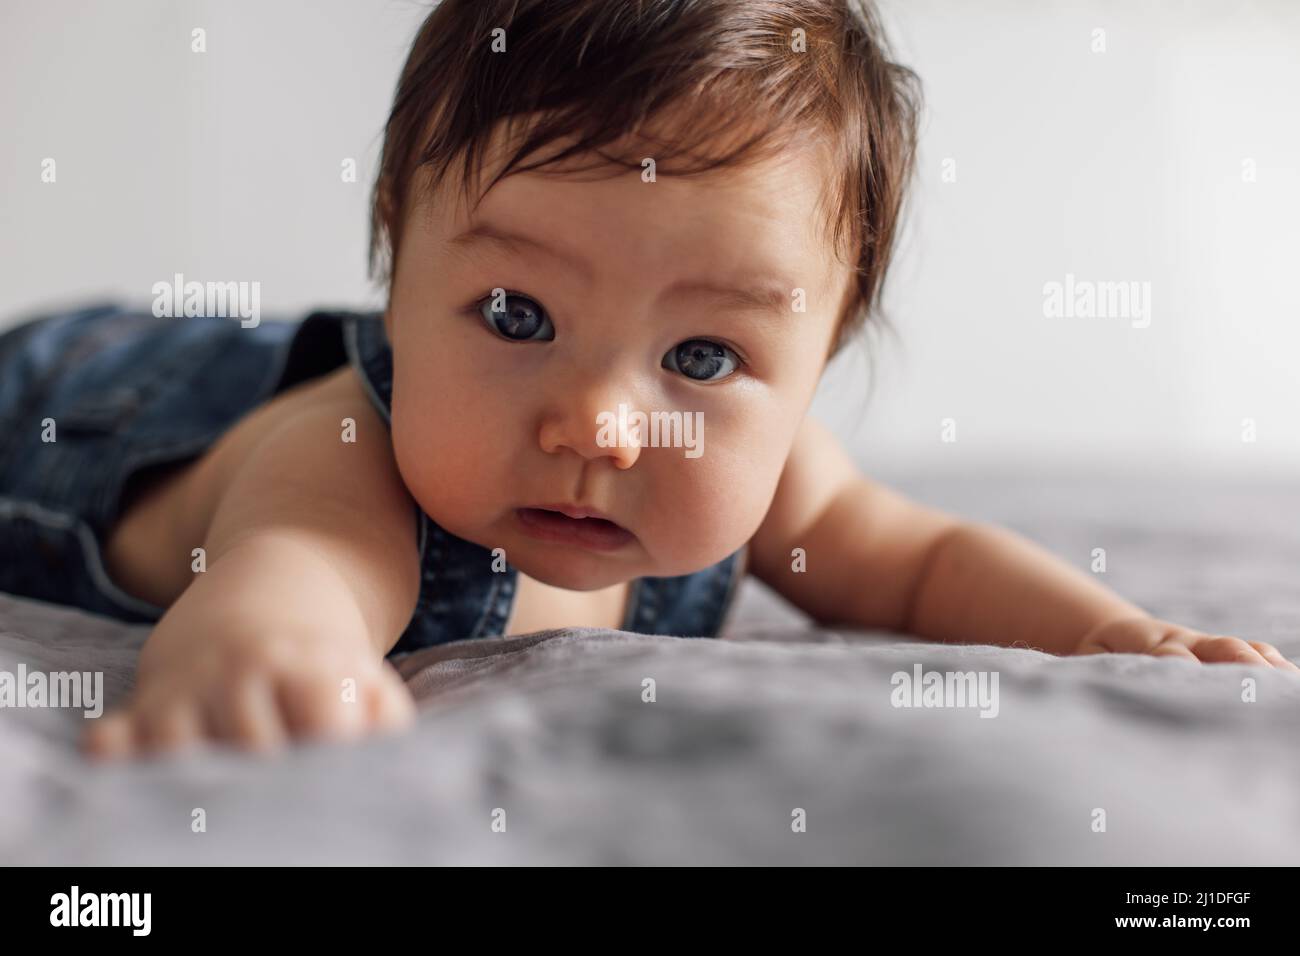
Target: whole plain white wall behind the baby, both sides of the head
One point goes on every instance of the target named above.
(1117, 166)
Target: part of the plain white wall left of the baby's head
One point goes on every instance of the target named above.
(224, 165)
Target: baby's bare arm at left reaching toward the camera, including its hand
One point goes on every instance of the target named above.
(311, 577)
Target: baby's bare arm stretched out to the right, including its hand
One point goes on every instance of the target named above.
(877, 560)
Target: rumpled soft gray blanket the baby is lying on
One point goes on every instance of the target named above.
(781, 743)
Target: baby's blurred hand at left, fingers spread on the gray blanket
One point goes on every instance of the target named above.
(254, 694)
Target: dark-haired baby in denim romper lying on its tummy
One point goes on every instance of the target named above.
(583, 209)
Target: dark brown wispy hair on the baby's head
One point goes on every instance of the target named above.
(755, 75)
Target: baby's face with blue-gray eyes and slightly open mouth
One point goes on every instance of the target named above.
(614, 295)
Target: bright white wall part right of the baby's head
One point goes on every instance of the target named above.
(1117, 166)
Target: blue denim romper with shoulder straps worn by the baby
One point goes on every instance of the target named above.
(128, 392)
